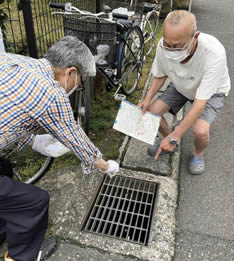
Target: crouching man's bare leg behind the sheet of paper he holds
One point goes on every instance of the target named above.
(160, 108)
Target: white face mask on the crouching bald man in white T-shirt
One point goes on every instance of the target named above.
(177, 55)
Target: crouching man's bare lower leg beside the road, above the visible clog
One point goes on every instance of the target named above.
(201, 132)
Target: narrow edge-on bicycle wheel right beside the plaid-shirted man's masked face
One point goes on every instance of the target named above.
(81, 105)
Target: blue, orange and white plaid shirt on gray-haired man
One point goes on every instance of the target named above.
(30, 98)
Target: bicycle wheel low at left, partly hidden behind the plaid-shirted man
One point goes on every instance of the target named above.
(28, 165)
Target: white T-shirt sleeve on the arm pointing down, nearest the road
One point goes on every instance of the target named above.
(211, 79)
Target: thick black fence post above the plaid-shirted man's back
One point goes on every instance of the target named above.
(28, 23)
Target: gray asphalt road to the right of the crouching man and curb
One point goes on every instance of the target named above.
(205, 213)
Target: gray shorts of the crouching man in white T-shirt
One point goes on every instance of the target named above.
(176, 101)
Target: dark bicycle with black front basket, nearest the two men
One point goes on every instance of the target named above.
(113, 38)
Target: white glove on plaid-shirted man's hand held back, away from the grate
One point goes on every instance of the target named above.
(49, 146)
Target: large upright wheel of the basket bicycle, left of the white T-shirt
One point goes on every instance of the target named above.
(131, 59)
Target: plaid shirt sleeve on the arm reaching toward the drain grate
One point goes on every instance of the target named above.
(59, 121)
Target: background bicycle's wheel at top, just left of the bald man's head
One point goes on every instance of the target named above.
(149, 31)
